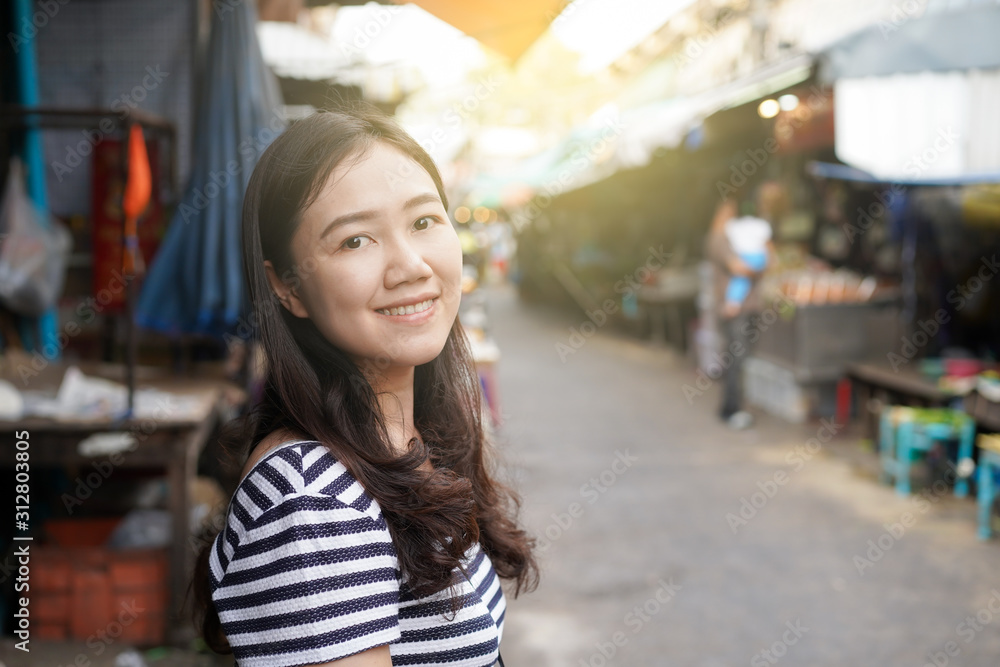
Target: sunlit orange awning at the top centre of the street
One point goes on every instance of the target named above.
(508, 27)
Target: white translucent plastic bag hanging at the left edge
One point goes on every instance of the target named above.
(33, 255)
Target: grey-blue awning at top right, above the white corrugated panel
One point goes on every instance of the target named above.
(936, 42)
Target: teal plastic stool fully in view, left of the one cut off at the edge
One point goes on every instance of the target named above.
(905, 432)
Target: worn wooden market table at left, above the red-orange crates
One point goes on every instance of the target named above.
(169, 442)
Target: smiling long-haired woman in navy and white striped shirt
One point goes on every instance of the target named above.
(367, 529)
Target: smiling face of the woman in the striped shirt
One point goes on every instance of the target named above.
(376, 239)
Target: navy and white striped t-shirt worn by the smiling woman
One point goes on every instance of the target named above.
(305, 572)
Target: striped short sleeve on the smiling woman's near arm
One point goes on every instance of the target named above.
(311, 580)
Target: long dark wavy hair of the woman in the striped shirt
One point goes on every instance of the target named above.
(313, 387)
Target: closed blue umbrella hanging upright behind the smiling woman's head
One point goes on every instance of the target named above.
(195, 283)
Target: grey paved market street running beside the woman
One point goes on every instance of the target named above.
(670, 540)
